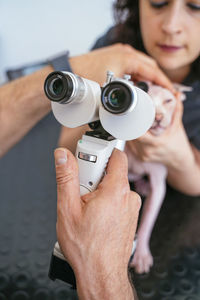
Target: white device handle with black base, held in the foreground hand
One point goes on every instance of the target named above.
(92, 154)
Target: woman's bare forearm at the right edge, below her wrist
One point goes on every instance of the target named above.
(185, 175)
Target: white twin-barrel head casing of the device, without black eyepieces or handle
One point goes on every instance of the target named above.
(88, 108)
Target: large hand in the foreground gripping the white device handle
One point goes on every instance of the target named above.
(96, 231)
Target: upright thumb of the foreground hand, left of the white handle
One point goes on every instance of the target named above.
(68, 191)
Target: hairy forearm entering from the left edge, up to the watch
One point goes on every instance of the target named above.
(22, 104)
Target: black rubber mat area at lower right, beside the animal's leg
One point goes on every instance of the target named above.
(175, 245)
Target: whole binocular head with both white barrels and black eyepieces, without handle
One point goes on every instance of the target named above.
(124, 110)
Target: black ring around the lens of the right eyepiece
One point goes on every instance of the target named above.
(106, 91)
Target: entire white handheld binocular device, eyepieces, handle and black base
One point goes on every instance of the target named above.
(117, 112)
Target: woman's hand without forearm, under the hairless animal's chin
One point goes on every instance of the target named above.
(169, 148)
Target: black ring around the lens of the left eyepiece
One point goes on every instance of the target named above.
(67, 90)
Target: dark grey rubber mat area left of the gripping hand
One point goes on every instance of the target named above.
(28, 217)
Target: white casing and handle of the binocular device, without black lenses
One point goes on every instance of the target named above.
(93, 153)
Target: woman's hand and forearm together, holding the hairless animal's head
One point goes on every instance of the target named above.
(174, 150)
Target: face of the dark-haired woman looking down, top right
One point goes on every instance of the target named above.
(171, 33)
